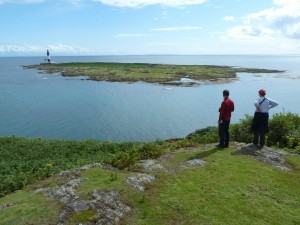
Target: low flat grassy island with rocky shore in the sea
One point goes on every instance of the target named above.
(151, 73)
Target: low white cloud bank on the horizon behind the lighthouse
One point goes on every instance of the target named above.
(35, 49)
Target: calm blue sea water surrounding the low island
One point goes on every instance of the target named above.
(56, 107)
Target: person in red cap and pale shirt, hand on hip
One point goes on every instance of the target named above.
(261, 117)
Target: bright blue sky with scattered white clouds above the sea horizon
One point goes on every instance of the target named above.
(141, 27)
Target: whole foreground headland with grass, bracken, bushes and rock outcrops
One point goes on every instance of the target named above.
(225, 186)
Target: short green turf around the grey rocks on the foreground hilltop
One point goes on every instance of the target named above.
(231, 188)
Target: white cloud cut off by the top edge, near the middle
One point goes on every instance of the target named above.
(142, 3)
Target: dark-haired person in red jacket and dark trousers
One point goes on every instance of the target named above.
(225, 110)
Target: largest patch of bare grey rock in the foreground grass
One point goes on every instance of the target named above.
(107, 204)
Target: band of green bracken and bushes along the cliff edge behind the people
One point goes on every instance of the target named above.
(25, 161)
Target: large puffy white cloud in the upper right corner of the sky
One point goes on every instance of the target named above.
(283, 20)
